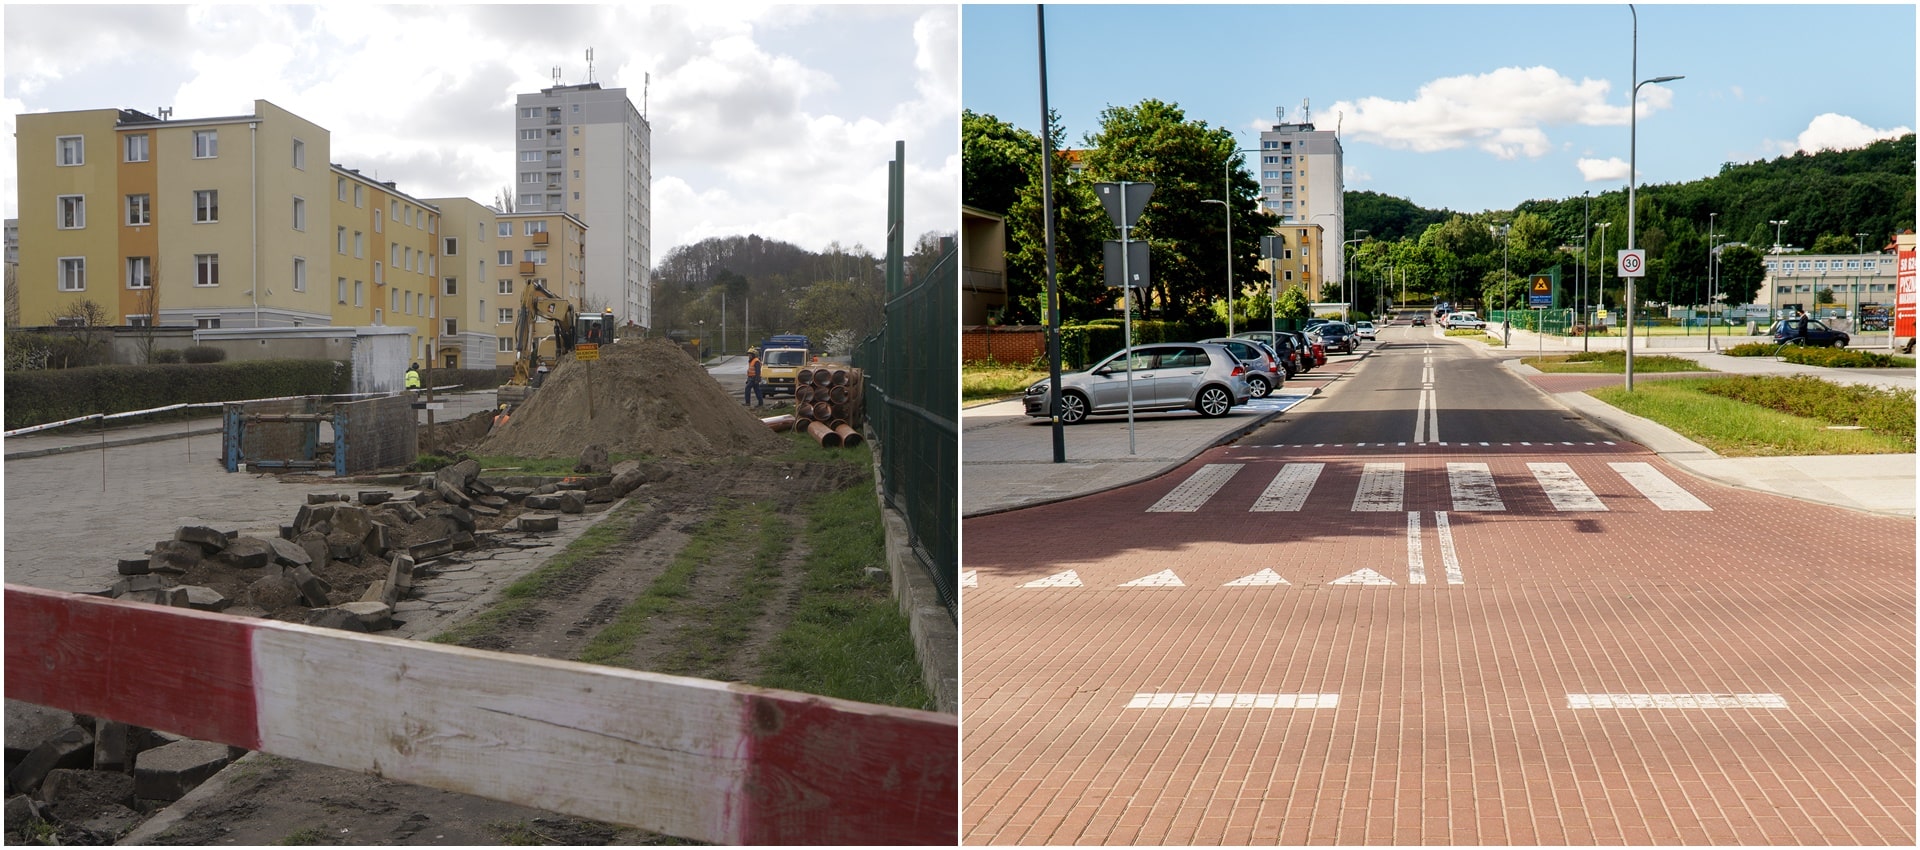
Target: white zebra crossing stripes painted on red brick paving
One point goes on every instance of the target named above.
(1472, 488)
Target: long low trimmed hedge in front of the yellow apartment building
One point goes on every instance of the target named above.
(59, 394)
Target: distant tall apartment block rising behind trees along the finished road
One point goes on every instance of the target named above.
(1301, 181)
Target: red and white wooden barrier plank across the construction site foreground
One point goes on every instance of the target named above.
(696, 759)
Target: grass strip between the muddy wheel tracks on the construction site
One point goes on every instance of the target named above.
(752, 532)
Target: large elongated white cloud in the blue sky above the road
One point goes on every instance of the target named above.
(1504, 112)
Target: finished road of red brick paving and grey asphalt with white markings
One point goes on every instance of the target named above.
(1435, 607)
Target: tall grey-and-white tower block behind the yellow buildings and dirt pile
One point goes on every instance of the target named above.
(585, 151)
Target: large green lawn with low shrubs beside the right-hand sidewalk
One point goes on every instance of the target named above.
(1737, 415)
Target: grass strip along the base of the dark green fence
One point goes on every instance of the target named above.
(848, 636)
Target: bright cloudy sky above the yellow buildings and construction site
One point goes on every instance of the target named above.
(767, 120)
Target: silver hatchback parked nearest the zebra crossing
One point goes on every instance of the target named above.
(1164, 377)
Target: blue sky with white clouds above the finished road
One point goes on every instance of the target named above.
(1472, 108)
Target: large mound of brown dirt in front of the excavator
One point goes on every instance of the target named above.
(648, 398)
